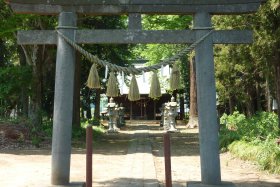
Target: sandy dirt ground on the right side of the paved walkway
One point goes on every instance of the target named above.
(186, 164)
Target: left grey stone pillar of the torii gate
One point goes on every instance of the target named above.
(63, 101)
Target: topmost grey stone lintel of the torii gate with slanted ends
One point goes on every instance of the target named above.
(119, 7)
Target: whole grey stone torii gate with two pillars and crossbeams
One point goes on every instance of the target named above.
(206, 91)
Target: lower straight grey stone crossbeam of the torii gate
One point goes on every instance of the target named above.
(135, 36)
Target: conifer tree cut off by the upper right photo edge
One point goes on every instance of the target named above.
(268, 37)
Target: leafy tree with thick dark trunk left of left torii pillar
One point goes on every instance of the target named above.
(39, 58)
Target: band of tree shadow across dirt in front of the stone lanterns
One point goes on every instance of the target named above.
(182, 144)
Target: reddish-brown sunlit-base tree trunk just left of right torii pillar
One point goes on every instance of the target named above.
(193, 118)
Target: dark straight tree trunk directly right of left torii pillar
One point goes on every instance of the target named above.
(77, 86)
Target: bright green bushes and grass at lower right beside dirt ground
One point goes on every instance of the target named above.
(252, 138)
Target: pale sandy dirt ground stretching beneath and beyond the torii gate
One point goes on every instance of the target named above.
(128, 159)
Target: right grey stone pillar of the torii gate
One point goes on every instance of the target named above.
(206, 101)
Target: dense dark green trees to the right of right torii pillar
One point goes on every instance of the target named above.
(253, 69)
